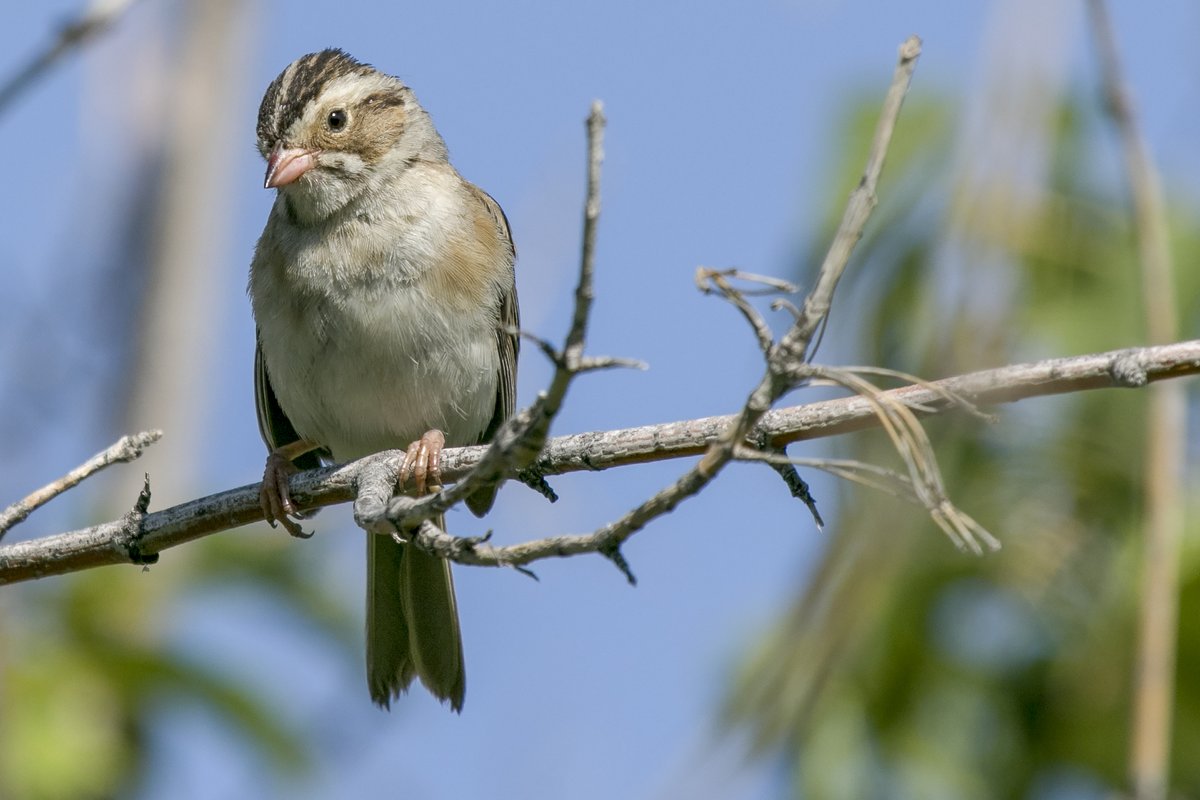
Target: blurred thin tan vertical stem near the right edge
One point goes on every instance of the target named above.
(1154, 684)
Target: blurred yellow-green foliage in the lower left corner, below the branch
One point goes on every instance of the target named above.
(89, 665)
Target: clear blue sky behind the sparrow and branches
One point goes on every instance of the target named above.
(722, 124)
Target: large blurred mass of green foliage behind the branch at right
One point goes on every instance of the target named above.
(907, 669)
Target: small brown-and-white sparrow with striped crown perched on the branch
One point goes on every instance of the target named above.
(385, 297)
